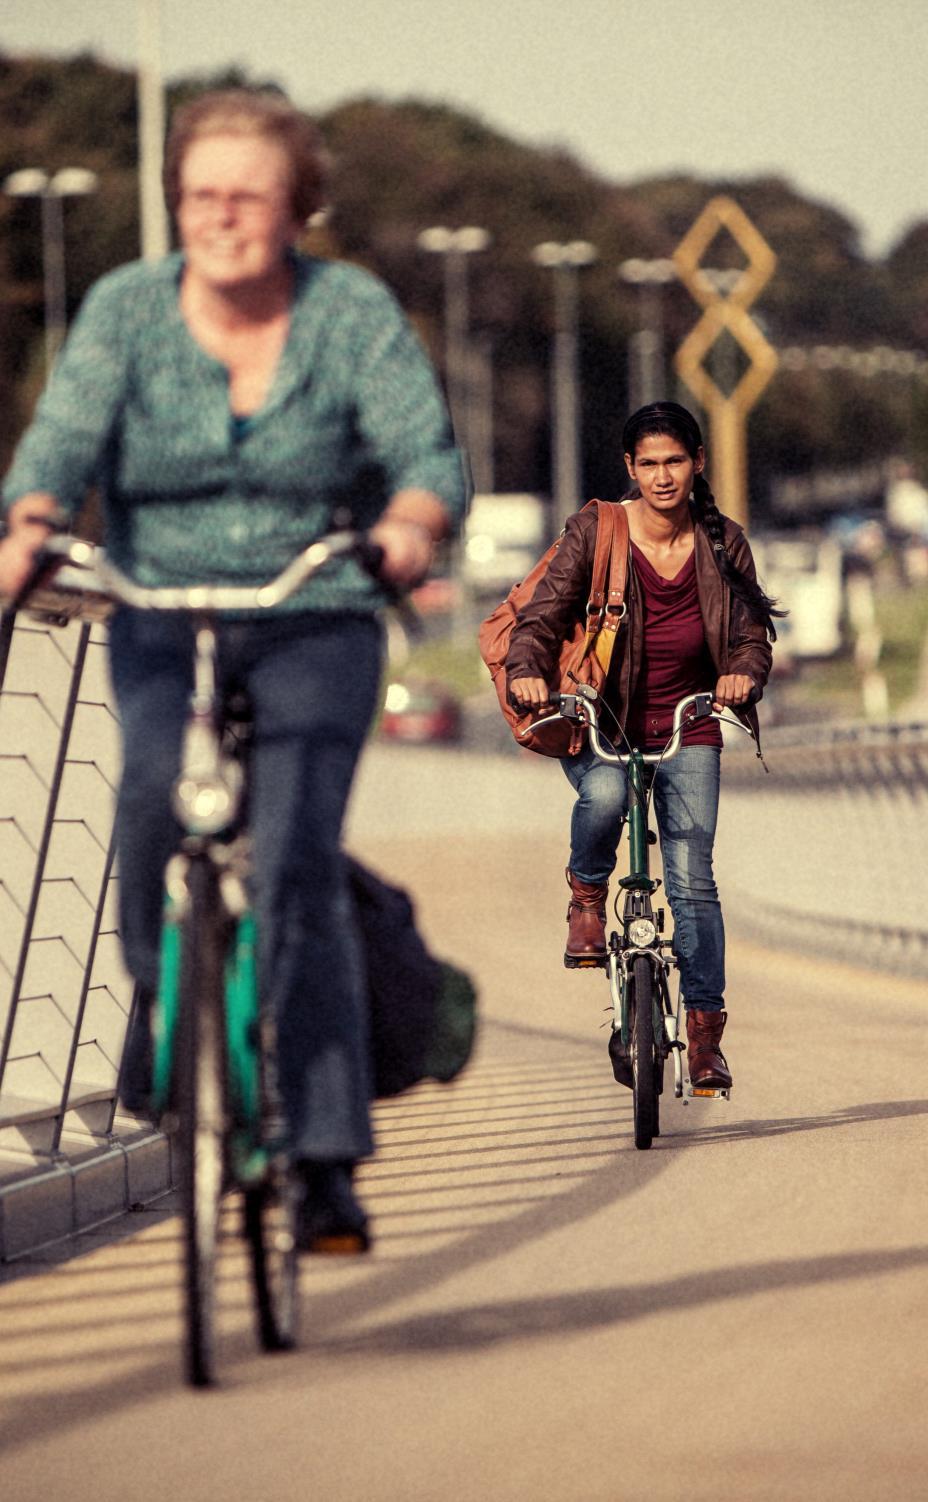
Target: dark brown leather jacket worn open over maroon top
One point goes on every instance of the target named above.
(737, 642)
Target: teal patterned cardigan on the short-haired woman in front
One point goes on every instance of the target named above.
(139, 409)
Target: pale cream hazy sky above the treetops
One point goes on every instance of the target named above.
(831, 95)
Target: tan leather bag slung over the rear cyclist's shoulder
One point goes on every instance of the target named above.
(588, 651)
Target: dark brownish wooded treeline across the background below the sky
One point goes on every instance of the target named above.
(400, 167)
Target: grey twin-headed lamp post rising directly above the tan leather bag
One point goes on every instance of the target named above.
(565, 261)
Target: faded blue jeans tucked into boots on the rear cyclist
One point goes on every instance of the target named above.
(687, 797)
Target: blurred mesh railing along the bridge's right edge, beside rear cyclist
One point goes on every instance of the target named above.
(828, 854)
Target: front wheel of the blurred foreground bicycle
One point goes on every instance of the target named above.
(202, 1108)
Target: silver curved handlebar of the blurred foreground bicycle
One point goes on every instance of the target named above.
(83, 570)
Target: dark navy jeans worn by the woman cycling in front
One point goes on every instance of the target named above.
(313, 687)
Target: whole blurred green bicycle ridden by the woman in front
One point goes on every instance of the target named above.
(214, 1045)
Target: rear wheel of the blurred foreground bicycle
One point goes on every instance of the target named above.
(271, 1231)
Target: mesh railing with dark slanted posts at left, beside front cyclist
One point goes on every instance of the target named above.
(67, 995)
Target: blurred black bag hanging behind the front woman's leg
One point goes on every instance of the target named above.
(423, 1010)
